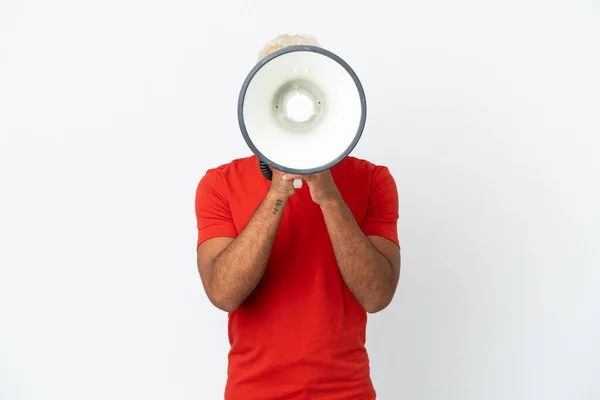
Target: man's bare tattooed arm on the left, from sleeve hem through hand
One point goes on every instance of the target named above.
(230, 269)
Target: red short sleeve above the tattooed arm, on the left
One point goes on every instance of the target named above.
(213, 213)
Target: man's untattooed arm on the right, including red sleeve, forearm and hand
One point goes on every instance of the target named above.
(368, 256)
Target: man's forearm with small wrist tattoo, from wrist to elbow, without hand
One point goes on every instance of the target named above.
(236, 271)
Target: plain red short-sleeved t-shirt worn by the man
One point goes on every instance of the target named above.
(301, 333)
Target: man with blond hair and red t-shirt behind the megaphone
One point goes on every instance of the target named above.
(298, 270)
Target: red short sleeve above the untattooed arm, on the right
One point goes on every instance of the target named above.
(382, 215)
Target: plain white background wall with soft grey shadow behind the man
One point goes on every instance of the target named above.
(487, 114)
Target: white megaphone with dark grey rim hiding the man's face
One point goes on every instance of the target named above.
(301, 110)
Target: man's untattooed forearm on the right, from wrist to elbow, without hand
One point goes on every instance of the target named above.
(366, 272)
